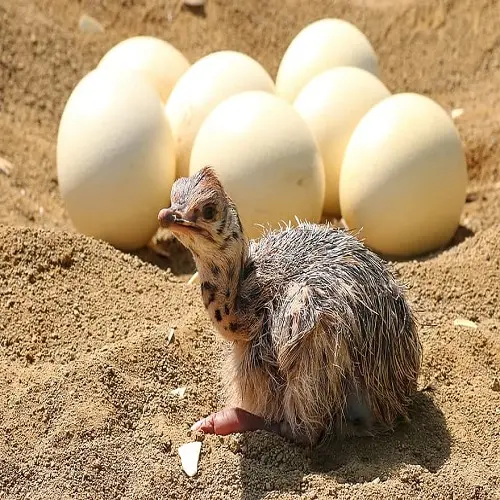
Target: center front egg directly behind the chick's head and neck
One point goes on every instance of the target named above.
(266, 158)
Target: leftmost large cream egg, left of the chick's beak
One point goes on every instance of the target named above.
(115, 158)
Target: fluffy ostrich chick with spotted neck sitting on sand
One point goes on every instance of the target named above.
(322, 336)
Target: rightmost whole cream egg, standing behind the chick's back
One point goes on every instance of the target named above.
(404, 177)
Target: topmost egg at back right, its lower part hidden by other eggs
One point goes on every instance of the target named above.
(322, 45)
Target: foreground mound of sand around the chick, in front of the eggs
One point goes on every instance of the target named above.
(88, 372)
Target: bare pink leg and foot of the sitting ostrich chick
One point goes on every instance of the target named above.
(233, 420)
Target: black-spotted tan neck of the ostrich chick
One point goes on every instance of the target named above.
(220, 281)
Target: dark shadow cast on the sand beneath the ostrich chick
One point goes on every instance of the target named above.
(424, 441)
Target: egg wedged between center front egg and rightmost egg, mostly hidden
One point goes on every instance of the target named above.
(332, 104)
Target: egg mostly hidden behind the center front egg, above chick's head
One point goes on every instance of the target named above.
(207, 83)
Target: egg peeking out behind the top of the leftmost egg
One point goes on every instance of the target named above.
(159, 61)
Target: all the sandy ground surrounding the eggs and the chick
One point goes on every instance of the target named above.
(86, 367)
